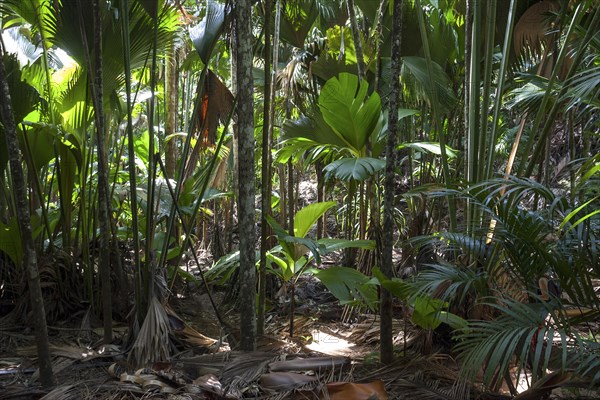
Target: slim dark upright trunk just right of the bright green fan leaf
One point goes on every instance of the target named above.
(386, 343)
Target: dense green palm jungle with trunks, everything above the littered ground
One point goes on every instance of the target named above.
(461, 136)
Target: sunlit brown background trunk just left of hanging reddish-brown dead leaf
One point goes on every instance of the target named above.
(171, 84)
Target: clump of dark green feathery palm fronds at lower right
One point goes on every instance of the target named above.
(490, 276)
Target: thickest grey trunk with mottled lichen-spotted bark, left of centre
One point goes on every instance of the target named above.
(245, 121)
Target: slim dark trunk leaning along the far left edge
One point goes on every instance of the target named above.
(23, 217)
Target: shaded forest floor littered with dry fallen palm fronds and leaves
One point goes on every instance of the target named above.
(332, 355)
